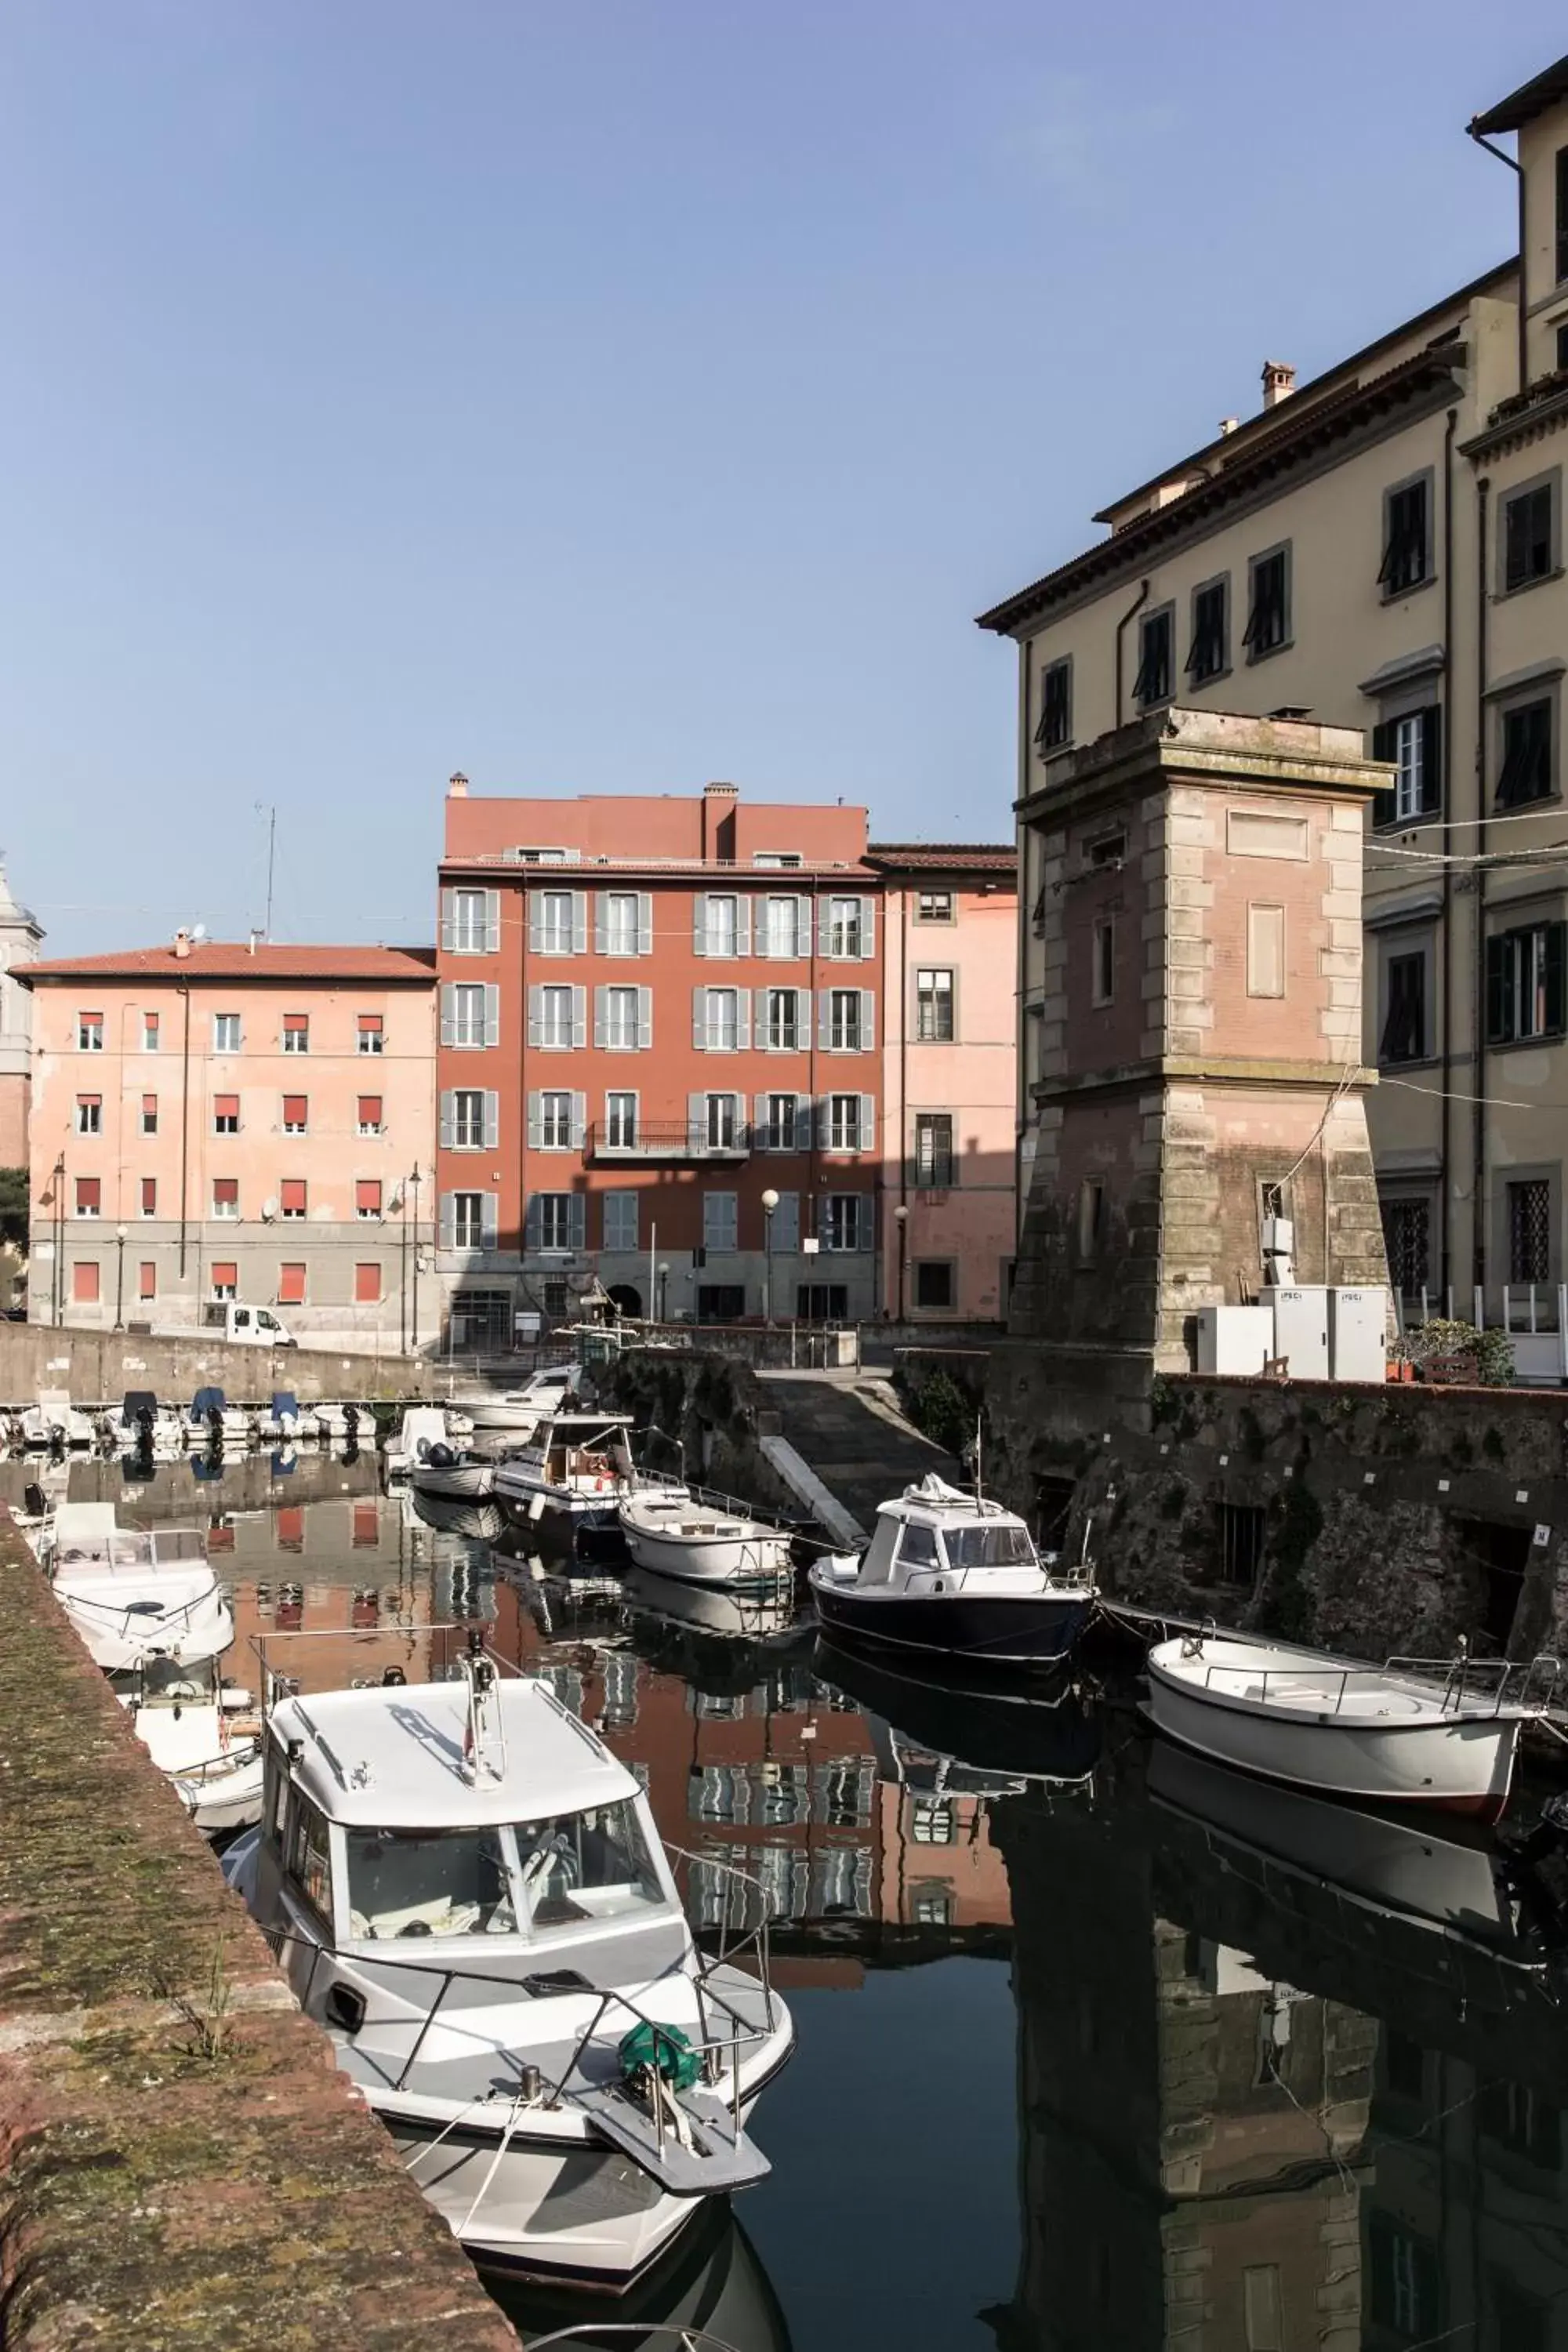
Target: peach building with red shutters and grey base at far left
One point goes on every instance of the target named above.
(243, 1123)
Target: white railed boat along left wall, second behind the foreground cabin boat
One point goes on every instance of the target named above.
(135, 1593)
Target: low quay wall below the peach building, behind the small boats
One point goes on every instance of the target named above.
(98, 1368)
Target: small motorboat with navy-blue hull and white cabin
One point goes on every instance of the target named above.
(953, 1575)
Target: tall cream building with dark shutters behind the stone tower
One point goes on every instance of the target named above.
(1381, 549)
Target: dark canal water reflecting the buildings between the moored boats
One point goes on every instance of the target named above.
(1099, 2047)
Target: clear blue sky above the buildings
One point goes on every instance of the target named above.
(610, 399)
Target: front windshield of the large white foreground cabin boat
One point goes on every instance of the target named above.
(469, 1883)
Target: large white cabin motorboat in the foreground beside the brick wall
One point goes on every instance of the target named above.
(469, 1892)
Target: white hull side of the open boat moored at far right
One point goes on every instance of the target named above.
(1456, 1765)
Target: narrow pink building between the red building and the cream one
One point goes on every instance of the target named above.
(949, 1085)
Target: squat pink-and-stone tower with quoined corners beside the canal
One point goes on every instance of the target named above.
(1195, 1053)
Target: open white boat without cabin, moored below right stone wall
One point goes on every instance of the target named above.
(1409, 1732)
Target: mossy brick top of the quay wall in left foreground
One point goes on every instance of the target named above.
(182, 2165)
